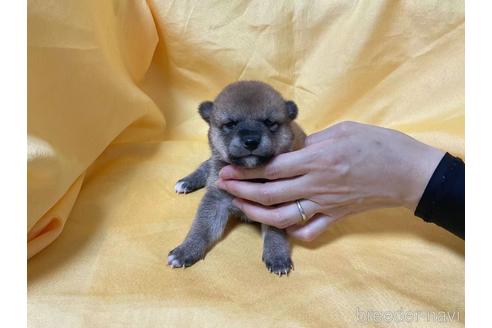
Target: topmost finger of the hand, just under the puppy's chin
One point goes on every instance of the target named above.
(285, 165)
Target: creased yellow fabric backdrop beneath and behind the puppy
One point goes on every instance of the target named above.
(113, 88)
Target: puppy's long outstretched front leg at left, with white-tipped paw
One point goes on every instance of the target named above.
(206, 229)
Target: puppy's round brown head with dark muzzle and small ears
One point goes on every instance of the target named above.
(249, 123)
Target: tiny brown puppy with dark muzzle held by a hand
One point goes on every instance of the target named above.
(249, 124)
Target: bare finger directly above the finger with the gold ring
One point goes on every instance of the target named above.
(268, 193)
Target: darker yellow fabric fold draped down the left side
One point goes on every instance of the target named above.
(84, 63)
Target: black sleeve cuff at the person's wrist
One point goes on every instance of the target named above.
(443, 201)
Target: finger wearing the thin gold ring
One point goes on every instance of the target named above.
(278, 216)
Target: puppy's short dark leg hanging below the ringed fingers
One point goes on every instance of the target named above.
(276, 250)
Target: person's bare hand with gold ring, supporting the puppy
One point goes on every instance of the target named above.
(345, 169)
